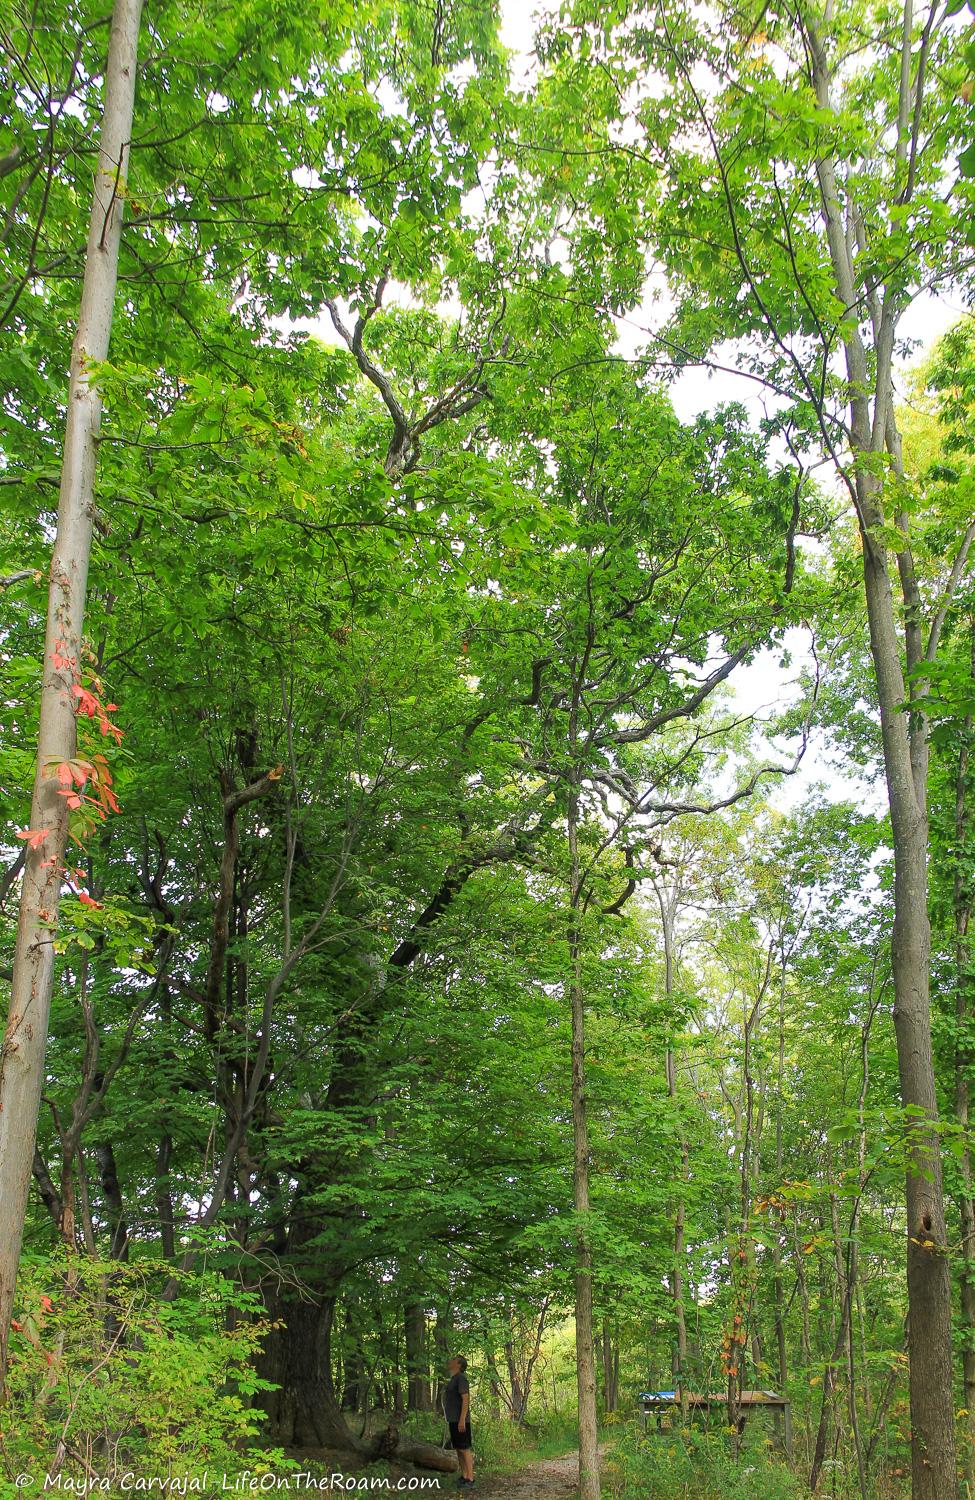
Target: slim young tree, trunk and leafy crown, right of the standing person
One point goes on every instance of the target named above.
(646, 625)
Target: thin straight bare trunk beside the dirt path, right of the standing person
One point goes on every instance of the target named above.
(586, 1358)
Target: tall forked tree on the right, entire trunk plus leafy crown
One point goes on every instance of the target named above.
(805, 197)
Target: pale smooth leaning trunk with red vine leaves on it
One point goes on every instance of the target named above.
(22, 1061)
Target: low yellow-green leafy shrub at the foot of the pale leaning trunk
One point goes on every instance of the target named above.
(110, 1378)
